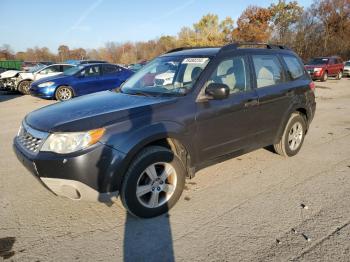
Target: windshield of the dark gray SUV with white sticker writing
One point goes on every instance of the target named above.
(173, 75)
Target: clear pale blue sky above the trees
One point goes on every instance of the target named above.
(91, 23)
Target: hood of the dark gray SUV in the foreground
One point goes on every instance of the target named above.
(92, 111)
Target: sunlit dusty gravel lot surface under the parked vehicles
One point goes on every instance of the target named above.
(247, 209)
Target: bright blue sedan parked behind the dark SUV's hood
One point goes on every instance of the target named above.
(80, 80)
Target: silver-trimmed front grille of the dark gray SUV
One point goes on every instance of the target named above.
(31, 139)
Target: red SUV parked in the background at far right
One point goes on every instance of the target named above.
(320, 68)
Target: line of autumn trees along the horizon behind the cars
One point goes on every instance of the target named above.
(322, 29)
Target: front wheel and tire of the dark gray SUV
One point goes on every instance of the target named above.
(138, 178)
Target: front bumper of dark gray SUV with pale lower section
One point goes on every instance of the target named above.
(89, 175)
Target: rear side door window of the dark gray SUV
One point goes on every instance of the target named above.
(268, 70)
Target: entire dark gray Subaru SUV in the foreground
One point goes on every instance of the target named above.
(183, 111)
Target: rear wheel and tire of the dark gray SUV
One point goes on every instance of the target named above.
(293, 136)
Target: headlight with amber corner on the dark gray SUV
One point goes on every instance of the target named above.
(64, 143)
